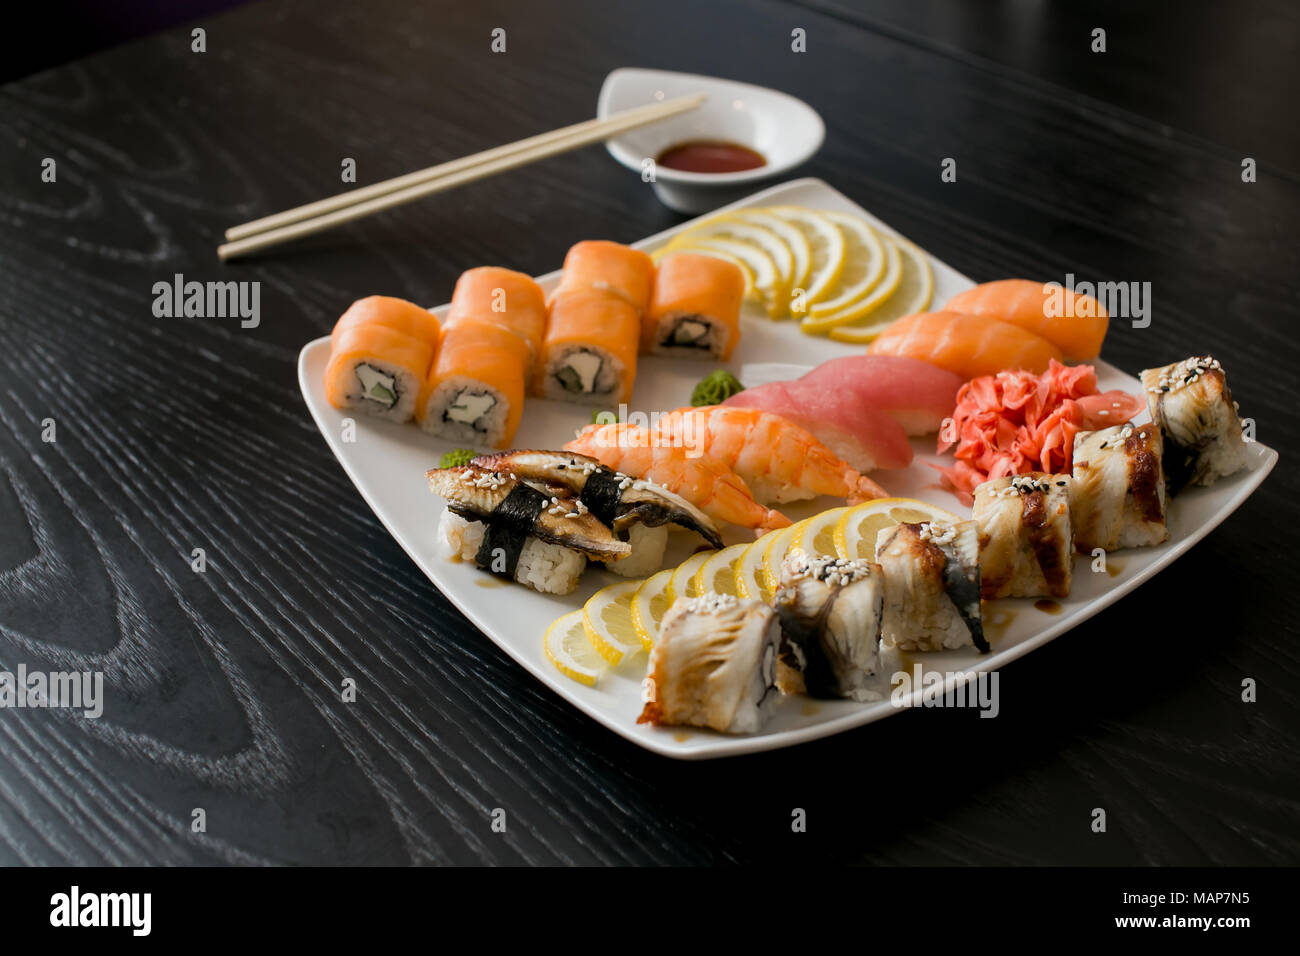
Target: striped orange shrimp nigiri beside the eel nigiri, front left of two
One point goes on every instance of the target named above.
(710, 486)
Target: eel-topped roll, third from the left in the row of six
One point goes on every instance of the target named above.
(933, 600)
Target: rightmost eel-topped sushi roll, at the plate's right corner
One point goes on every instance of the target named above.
(1203, 432)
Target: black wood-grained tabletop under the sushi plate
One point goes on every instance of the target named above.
(223, 689)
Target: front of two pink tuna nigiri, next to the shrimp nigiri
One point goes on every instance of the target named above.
(860, 434)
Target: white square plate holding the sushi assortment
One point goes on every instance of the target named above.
(388, 464)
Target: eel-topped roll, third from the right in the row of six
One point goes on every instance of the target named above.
(1026, 540)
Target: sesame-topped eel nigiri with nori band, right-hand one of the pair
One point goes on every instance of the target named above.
(639, 512)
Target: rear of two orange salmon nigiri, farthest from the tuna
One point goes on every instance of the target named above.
(1073, 323)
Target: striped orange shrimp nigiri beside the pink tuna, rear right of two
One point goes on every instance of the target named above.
(777, 458)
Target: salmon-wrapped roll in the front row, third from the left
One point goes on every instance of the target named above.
(591, 349)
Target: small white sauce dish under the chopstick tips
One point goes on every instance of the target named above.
(787, 132)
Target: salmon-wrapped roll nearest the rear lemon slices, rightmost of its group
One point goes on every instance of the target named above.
(695, 309)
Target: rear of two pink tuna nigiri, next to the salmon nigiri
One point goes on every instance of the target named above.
(917, 395)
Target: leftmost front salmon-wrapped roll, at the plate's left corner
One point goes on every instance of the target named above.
(378, 371)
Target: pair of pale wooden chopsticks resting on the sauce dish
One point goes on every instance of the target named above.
(346, 207)
